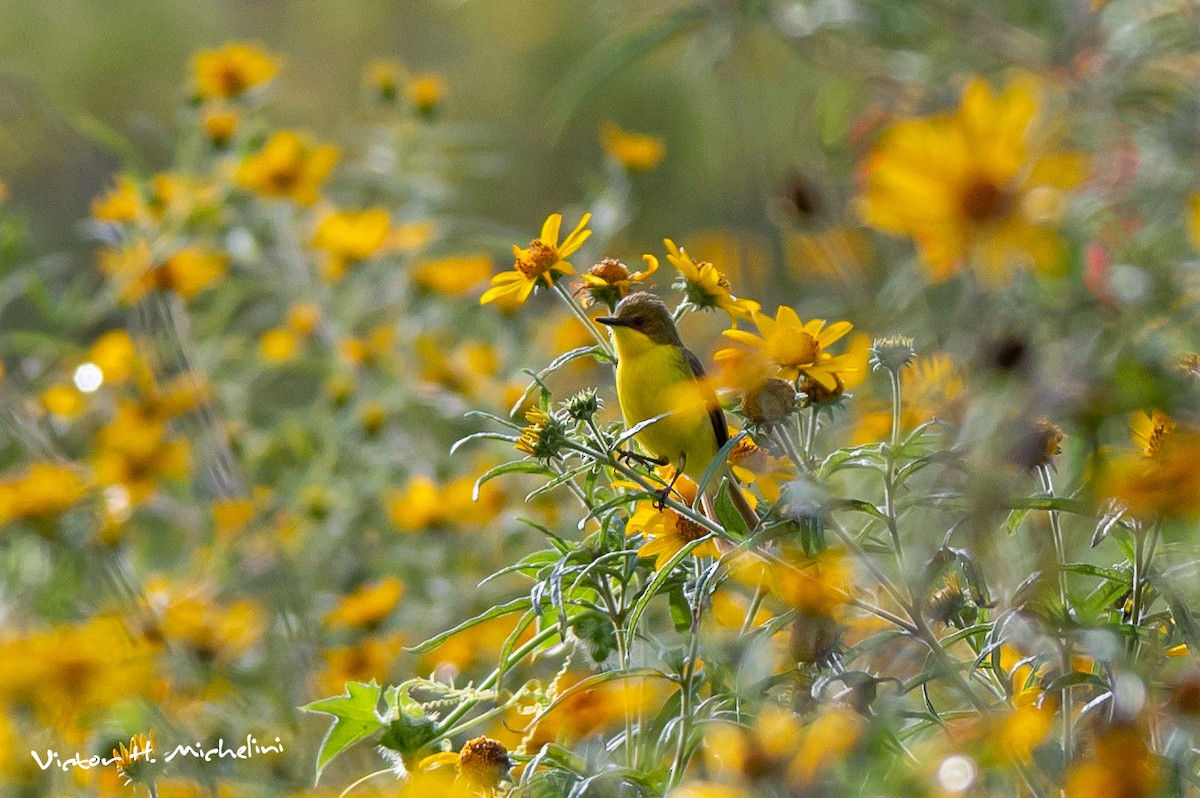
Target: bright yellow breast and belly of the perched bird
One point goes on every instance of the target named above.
(655, 379)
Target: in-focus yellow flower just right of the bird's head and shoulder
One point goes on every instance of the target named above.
(794, 347)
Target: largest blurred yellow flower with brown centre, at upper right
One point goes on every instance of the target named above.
(973, 184)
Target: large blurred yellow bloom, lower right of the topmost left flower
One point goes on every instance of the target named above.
(289, 166)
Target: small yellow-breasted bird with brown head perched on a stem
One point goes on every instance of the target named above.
(656, 376)
